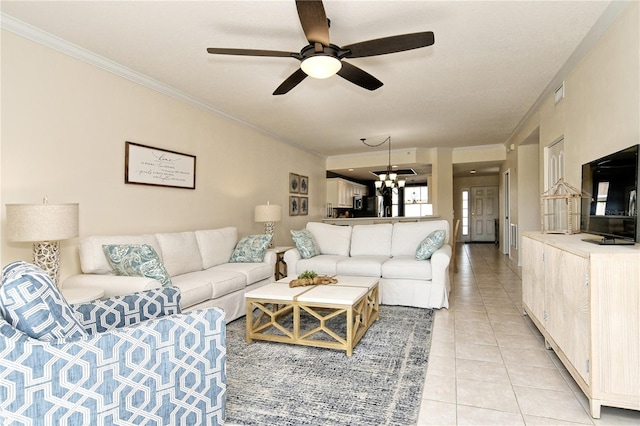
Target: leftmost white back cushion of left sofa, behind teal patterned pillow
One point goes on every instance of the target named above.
(92, 258)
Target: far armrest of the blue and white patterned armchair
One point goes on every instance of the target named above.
(122, 311)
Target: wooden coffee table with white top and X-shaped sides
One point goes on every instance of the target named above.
(353, 301)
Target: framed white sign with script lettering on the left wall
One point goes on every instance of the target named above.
(146, 165)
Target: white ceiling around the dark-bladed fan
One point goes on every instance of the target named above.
(488, 66)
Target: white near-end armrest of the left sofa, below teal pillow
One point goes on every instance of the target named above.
(113, 285)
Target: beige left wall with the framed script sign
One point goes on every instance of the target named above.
(64, 127)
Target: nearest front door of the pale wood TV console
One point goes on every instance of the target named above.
(576, 339)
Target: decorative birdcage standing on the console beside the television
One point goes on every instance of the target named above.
(560, 209)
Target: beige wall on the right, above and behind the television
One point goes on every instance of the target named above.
(600, 113)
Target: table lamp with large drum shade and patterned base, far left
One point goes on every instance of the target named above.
(44, 225)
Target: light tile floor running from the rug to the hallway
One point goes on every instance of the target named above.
(488, 364)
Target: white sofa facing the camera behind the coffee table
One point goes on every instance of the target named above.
(387, 251)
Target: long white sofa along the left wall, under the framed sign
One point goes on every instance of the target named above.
(197, 262)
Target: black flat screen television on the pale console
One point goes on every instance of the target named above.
(611, 208)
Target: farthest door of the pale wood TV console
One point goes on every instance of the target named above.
(533, 277)
